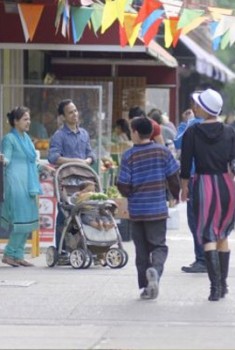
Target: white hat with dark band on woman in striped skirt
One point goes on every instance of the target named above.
(209, 100)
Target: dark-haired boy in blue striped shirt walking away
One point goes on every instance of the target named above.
(144, 171)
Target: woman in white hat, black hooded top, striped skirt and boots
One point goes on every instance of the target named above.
(211, 144)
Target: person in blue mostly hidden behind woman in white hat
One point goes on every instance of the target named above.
(191, 117)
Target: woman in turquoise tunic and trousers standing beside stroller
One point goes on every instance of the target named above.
(20, 214)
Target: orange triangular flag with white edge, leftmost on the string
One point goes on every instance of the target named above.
(30, 15)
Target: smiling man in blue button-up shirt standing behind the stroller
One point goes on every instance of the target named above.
(70, 143)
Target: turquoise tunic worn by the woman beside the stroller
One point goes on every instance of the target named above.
(19, 210)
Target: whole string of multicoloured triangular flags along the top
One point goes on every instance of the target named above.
(145, 22)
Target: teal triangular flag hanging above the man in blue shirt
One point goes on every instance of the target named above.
(80, 16)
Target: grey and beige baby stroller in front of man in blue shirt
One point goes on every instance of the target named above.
(83, 243)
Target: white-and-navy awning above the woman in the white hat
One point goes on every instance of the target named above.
(207, 63)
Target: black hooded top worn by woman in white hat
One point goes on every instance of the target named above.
(210, 145)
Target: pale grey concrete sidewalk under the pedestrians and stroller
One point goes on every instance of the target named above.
(99, 308)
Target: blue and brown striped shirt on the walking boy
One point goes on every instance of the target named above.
(142, 179)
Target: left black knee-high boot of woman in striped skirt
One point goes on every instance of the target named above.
(213, 269)
